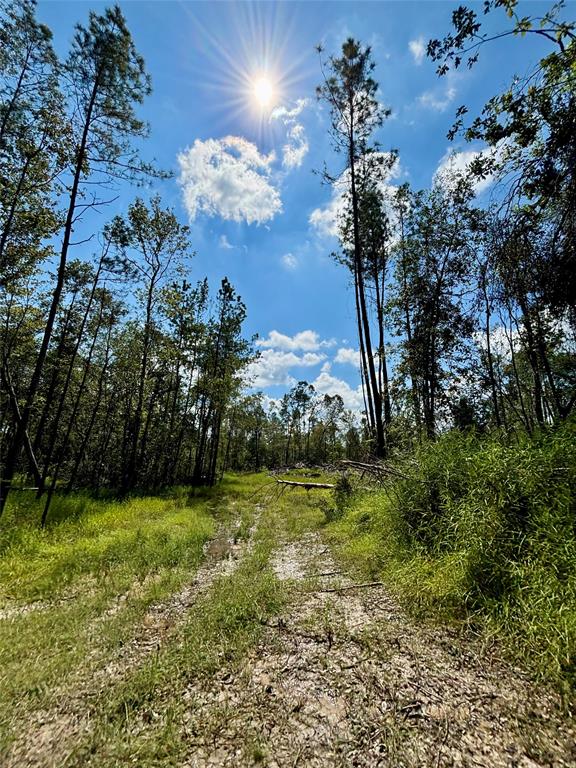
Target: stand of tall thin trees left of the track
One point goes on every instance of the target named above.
(117, 369)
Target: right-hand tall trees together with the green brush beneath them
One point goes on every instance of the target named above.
(466, 324)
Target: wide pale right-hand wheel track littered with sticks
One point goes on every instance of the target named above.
(345, 679)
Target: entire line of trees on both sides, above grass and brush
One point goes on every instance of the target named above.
(118, 370)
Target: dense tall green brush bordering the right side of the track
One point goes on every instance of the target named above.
(481, 531)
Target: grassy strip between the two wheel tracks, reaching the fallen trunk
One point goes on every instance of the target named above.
(220, 630)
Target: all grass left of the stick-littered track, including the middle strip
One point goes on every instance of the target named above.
(67, 582)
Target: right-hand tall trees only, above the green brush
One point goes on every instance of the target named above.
(465, 311)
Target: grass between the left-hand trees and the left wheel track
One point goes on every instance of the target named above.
(57, 586)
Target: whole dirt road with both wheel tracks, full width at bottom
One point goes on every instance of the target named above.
(339, 676)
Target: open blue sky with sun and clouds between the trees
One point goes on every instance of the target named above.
(245, 174)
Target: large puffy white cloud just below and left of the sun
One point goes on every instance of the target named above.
(228, 178)
